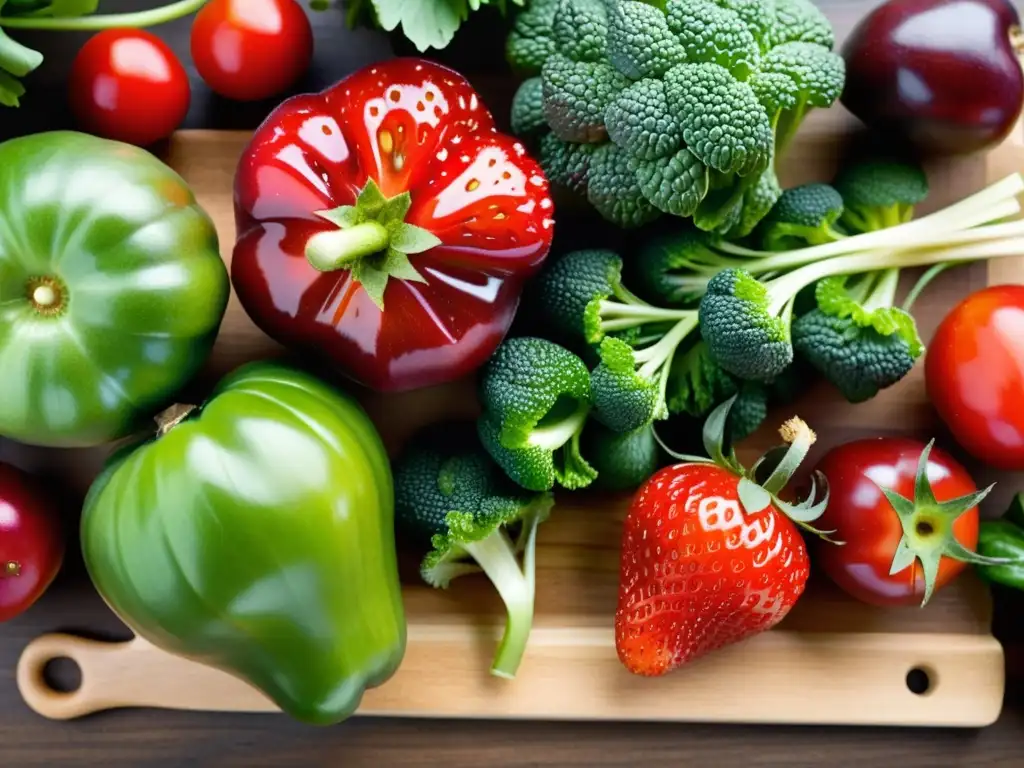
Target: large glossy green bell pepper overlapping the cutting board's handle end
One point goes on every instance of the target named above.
(255, 534)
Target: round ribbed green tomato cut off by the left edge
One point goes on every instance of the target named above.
(112, 288)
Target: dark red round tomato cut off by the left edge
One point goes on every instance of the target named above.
(32, 545)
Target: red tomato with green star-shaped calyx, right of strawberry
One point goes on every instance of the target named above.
(872, 530)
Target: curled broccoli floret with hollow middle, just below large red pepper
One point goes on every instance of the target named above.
(536, 399)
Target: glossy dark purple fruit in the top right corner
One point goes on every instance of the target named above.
(943, 74)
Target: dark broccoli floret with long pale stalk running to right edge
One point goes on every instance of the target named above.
(747, 323)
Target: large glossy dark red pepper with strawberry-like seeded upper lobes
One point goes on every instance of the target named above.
(387, 225)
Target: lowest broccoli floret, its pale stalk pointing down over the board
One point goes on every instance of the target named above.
(455, 505)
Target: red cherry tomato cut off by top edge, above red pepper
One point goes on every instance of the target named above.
(251, 50)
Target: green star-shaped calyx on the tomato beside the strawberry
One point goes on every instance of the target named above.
(928, 529)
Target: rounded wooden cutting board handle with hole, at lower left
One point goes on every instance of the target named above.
(102, 666)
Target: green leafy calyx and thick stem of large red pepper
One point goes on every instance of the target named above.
(372, 241)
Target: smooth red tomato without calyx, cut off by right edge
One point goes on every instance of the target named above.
(974, 372)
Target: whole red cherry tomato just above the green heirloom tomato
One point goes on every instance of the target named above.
(127, 86)
